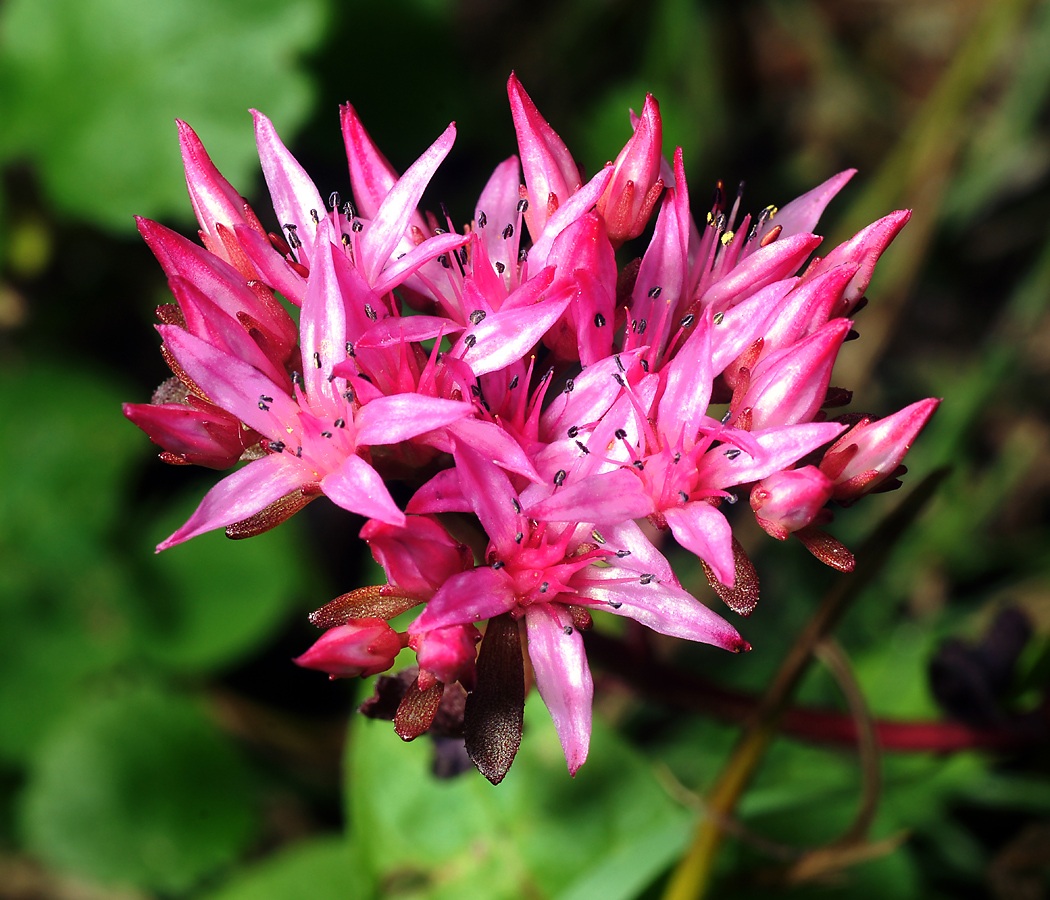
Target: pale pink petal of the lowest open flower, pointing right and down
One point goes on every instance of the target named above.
(663, 608)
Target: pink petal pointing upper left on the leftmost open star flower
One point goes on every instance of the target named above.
(234, 385)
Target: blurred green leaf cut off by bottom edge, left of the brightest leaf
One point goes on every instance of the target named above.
(323, 869)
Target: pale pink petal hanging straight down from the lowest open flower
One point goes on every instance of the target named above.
(562, 677)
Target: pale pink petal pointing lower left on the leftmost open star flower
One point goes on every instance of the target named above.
(242, 495)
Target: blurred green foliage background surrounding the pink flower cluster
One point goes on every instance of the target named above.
(155, 740)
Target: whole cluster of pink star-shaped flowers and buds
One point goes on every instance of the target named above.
(512, 370)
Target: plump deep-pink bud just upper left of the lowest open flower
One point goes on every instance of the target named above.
(417, 558)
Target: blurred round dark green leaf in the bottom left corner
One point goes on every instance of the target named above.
(139, 790)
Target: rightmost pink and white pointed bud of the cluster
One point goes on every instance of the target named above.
(870, 453)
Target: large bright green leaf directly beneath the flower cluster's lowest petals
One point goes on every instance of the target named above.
(539, 832)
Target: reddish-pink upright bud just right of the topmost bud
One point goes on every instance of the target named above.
(636, 184)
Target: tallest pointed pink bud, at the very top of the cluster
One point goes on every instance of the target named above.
(551, 174)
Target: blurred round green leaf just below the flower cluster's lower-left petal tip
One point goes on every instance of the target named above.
(211, 600)
